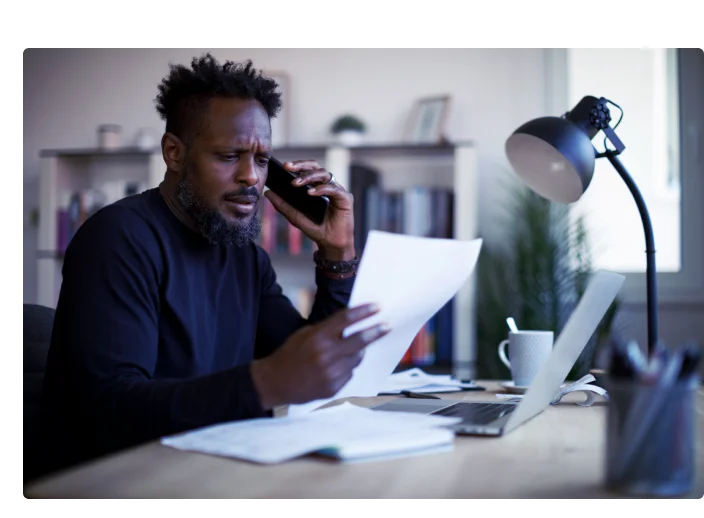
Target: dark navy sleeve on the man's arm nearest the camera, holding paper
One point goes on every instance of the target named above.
(106, 340)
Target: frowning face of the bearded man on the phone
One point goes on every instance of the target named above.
(225, 171)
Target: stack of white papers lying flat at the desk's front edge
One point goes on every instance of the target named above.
(347, 432)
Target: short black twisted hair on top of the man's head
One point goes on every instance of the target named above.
(184, 93)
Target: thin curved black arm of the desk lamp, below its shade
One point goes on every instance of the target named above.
(651, 273)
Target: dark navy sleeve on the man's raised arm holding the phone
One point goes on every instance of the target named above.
(278, 318)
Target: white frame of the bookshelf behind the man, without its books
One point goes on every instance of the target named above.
(447, 165)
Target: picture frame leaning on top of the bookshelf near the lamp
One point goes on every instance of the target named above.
(427, 121)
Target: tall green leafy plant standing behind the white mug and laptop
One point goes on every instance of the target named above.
(536, 273)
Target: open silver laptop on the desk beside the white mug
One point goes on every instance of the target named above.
(498, 418)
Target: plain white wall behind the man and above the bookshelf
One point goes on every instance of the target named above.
(64, 94)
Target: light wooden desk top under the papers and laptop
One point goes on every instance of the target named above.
(557, 457)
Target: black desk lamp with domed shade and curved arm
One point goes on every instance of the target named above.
(555, 157)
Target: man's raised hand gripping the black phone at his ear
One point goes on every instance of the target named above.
(335, 234)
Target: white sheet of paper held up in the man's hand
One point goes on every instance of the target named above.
(411, 278)
